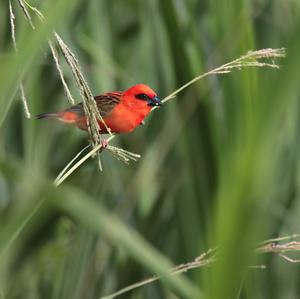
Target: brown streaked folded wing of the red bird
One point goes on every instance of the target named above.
(105, 103)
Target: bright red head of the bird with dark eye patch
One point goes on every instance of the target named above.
(141, 95)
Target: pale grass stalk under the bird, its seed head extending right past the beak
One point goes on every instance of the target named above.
(258, 58)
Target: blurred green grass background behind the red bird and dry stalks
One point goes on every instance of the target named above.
(219, 163)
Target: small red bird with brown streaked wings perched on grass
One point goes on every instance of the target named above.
(122, 112)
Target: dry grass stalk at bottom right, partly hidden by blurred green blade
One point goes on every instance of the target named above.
(210, 257)
